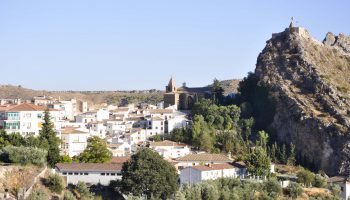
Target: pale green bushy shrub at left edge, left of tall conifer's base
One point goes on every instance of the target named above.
(24, 155)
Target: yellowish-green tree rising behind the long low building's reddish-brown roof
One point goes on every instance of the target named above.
(95, 152)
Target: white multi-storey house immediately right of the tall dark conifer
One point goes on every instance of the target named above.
(74, 141)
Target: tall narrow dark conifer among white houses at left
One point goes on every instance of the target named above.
(49, 141)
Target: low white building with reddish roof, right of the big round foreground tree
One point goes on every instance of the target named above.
(198, 173)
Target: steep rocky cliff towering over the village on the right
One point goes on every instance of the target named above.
(310, 81)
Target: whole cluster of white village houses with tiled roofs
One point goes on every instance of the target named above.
(124, 129)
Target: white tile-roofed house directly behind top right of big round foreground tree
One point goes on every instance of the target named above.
(170, 150)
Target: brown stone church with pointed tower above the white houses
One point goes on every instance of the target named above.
(183, 97)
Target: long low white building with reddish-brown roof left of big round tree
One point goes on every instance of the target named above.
(89, 173)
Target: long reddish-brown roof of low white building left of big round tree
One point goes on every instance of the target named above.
(88, 167)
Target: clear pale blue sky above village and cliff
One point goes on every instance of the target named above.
(109, 45)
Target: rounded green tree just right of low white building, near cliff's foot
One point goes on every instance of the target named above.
(258, 162)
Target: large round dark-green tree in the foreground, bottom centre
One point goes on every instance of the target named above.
(147, 173)
